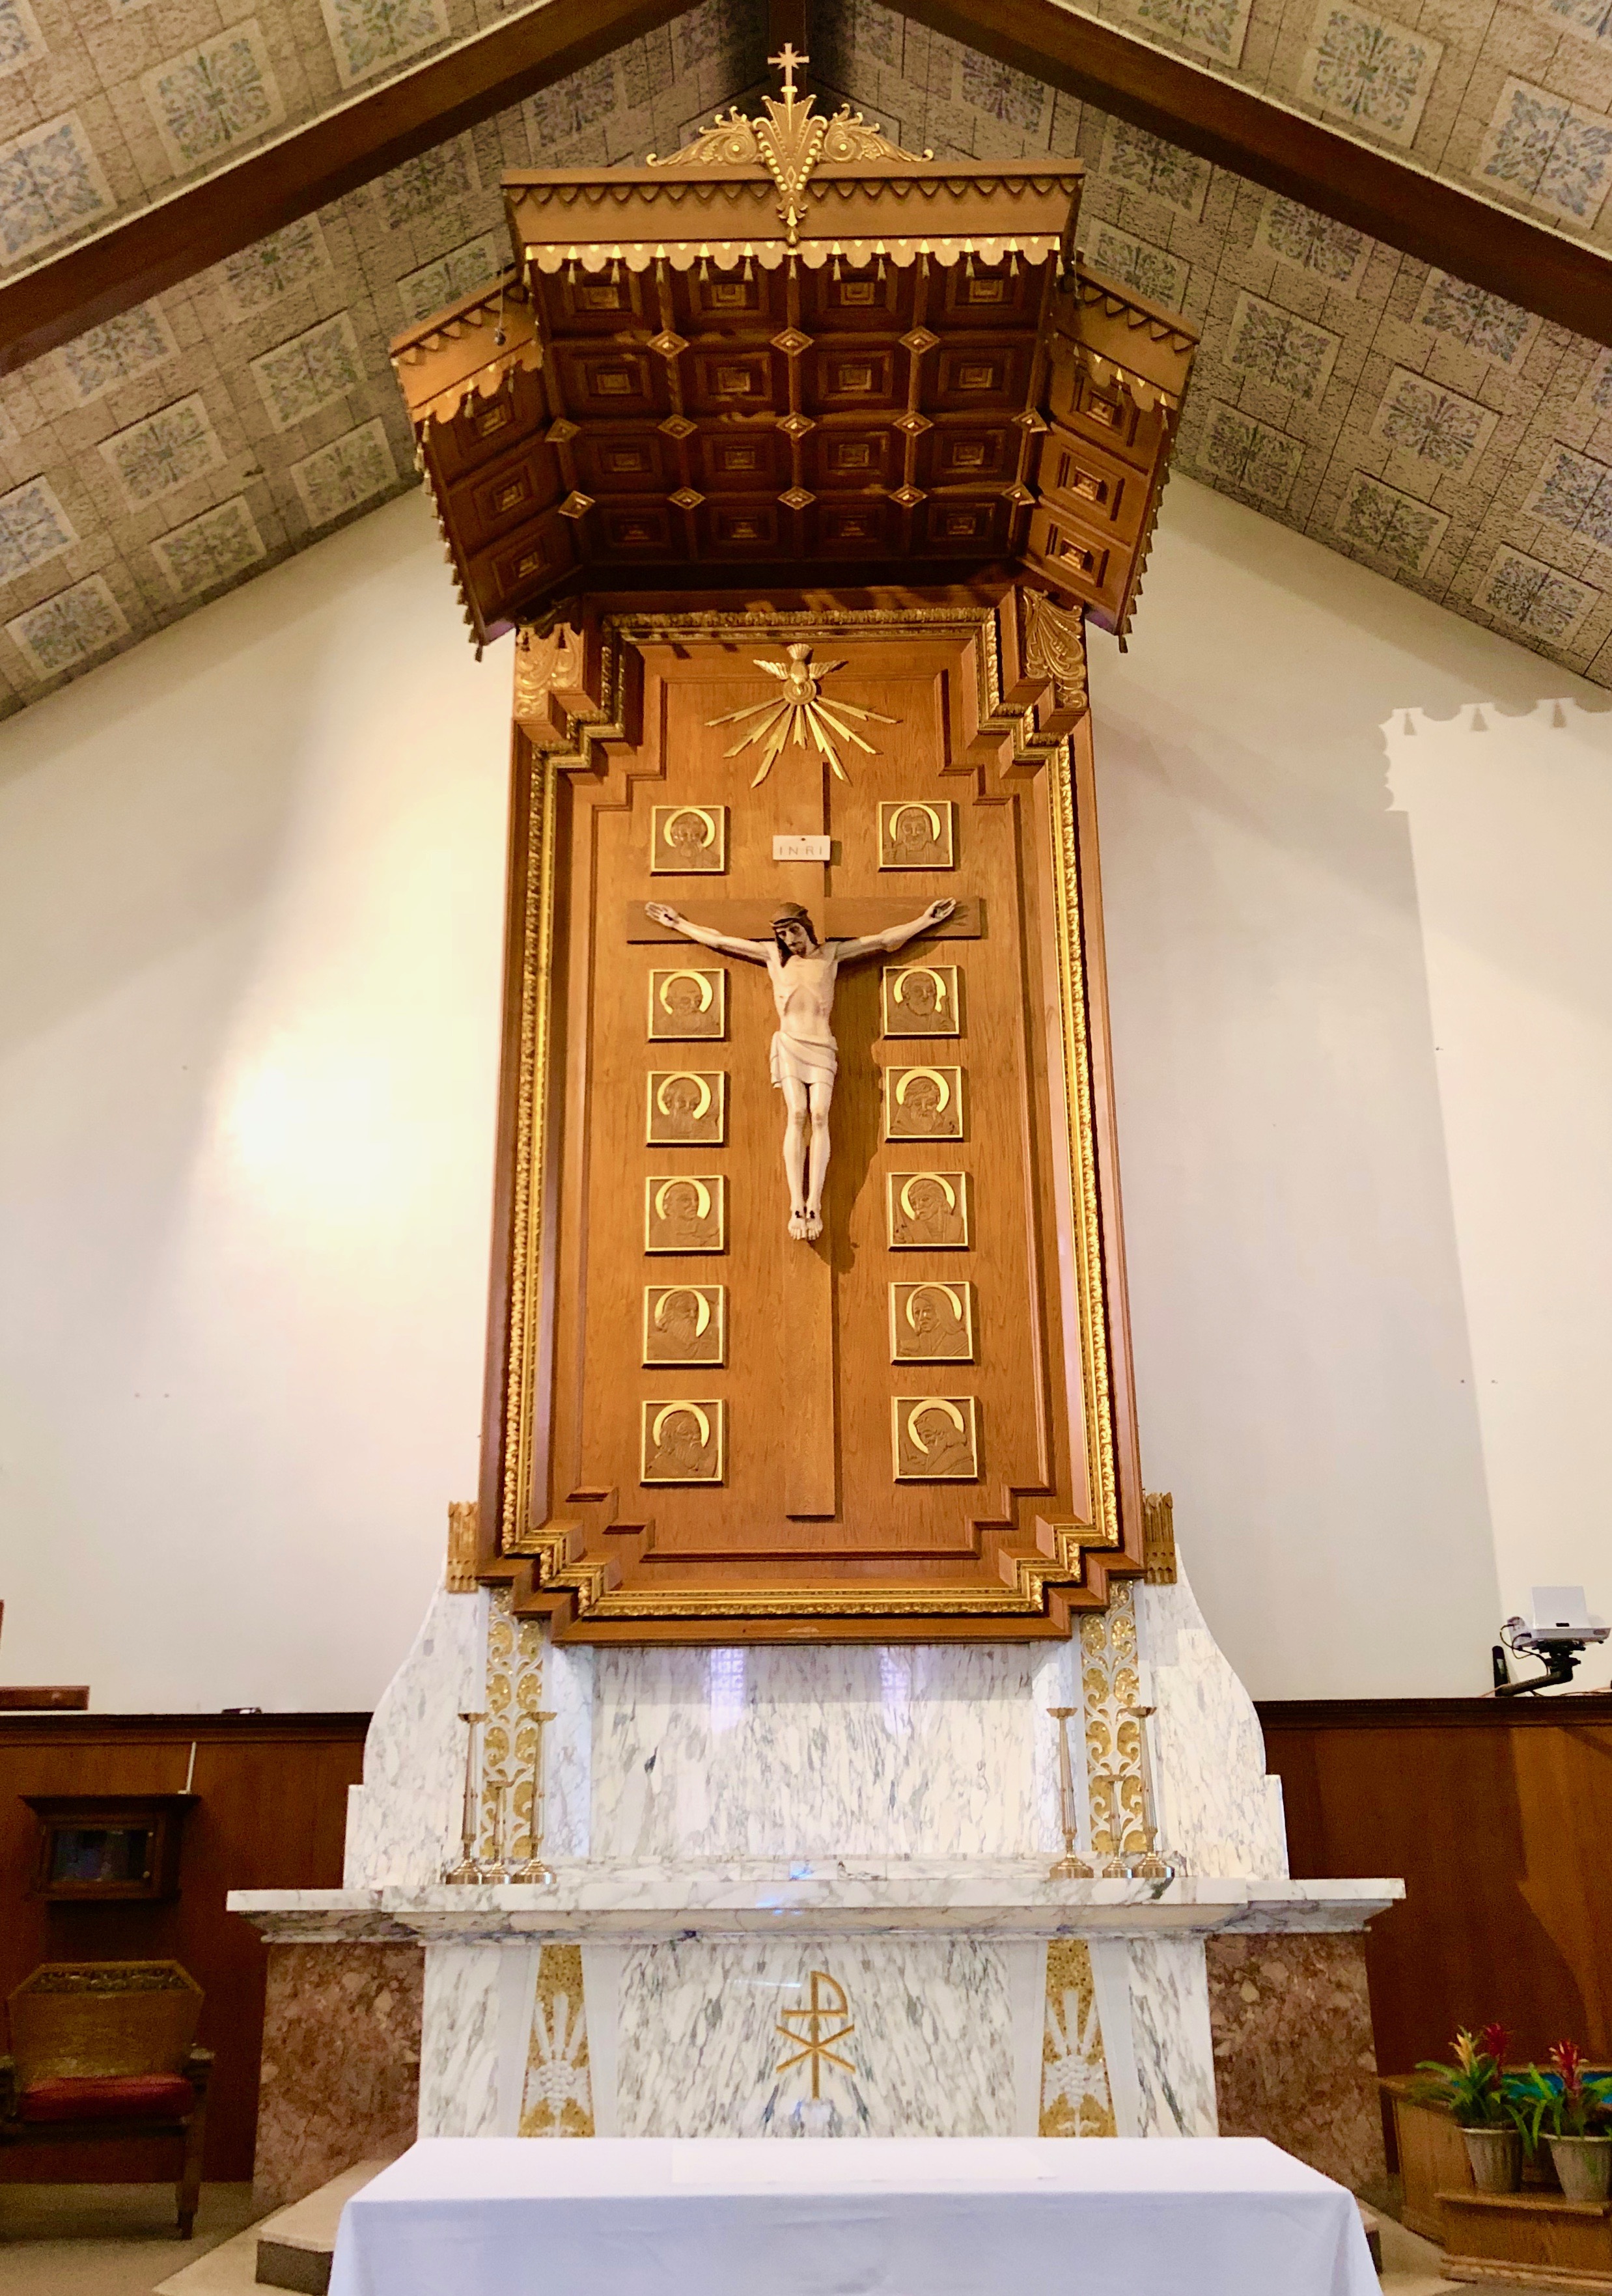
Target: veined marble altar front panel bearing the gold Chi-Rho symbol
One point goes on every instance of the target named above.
(927, 2040)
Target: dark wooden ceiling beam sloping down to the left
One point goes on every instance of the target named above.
(219, 215)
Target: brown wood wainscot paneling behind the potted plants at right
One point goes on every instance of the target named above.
(1498, 1815)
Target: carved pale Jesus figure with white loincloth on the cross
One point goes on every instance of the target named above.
(805, 1057)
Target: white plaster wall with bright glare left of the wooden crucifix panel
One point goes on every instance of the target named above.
(249, 1034)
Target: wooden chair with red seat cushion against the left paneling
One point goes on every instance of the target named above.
(107, 2049)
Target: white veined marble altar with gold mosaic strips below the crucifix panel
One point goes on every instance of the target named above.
(736, 1826)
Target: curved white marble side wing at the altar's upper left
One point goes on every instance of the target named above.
(405, 1822)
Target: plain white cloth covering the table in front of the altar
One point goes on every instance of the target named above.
(881, 2217)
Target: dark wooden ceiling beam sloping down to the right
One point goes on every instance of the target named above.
(1287, 153)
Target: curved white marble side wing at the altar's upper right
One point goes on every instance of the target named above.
(1216, 1806)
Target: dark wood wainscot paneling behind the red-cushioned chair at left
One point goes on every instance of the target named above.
(270, 1815)
